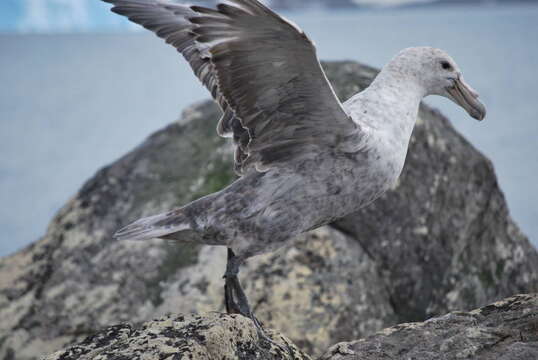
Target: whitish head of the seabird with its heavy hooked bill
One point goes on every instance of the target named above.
(438, 74)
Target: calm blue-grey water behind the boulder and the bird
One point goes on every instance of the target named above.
(70, 104)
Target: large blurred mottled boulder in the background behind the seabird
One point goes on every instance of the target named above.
(441, 240)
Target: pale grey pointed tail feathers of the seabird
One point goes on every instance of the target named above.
(173, 225)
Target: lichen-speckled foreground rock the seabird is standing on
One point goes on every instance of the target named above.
(197, 337)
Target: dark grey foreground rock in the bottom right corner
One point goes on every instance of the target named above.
(506, 330)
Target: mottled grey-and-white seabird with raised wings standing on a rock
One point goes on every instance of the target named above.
(304, 158)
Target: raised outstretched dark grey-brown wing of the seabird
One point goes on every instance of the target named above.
(261, 69)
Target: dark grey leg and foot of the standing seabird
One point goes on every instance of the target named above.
(233, 291)
